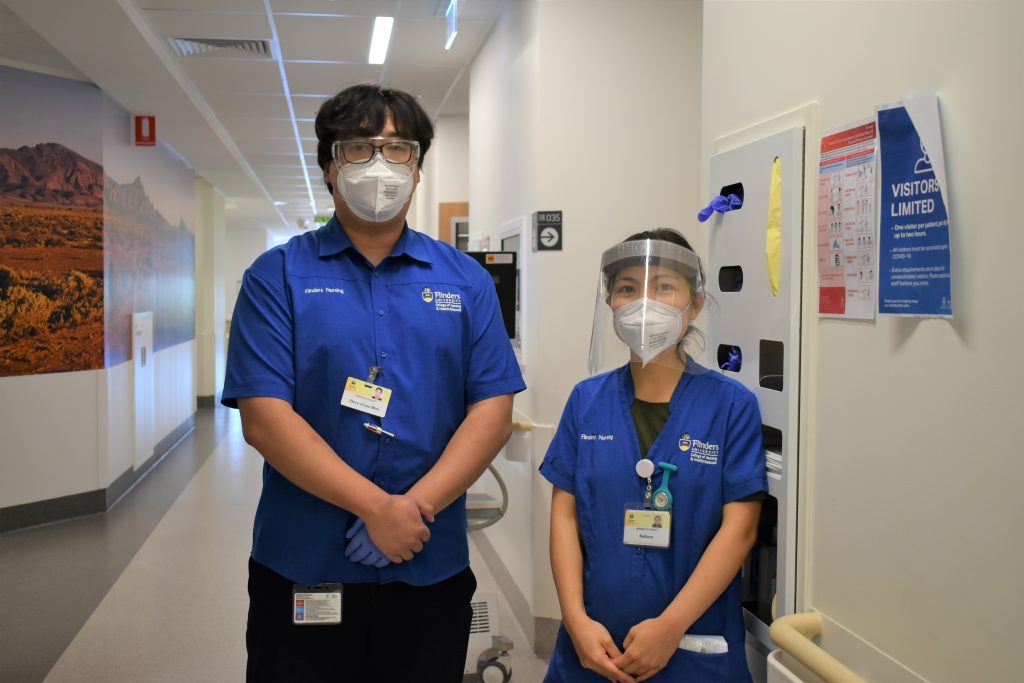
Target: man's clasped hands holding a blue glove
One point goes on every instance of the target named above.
(393, 534)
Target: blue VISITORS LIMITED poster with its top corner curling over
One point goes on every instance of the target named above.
(914, 227)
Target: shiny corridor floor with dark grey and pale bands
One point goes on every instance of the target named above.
(155, 590)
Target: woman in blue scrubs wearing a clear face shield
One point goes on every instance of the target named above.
(658, 437)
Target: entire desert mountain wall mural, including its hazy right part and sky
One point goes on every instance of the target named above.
(84, 244)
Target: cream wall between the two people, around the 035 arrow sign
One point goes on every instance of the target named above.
(575, 106)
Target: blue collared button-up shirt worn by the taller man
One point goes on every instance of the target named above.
(312, 314)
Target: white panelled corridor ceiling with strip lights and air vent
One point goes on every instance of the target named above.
(238, 119)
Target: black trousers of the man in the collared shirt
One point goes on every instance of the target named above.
(391, 633)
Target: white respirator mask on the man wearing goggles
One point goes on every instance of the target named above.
(375, 191)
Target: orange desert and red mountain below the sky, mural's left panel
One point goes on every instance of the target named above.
(52, 261)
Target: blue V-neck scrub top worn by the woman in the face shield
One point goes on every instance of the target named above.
(714, 437)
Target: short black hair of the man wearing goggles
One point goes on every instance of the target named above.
(361, 111)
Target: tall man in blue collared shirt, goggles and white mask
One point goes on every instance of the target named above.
(374, 375)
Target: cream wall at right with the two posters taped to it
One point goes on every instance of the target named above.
(912, 435)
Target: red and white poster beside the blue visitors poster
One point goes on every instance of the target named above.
(846, 223)
